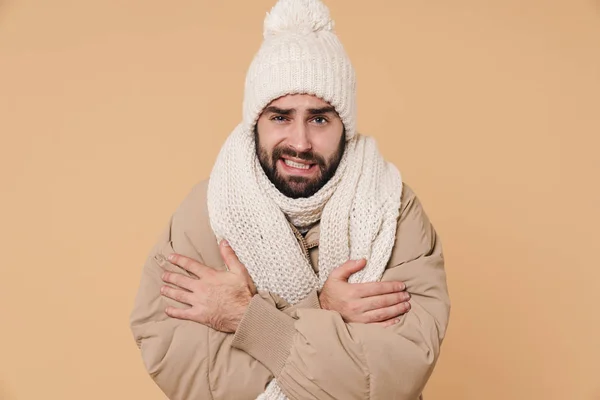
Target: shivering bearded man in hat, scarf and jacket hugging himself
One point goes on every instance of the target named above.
(288, 273)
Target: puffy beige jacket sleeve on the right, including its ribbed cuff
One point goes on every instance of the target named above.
(314, 354)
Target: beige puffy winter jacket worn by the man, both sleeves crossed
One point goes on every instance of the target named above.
(311, 351)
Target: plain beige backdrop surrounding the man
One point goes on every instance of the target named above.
(111, 110)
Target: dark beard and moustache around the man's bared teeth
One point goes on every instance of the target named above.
(299, 186)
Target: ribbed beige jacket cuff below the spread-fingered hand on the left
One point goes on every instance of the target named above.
(265, 333)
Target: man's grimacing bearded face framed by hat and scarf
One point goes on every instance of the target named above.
(299, 142)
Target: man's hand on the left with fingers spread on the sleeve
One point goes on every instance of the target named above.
(217, 299)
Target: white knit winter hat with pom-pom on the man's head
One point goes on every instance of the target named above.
(300, 53)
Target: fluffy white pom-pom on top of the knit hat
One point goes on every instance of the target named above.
(297, 16)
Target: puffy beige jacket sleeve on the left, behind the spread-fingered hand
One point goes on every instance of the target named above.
(188, 360)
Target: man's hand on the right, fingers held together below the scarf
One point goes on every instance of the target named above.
(374, 302)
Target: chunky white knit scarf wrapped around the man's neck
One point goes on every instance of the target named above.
(357, 209)
